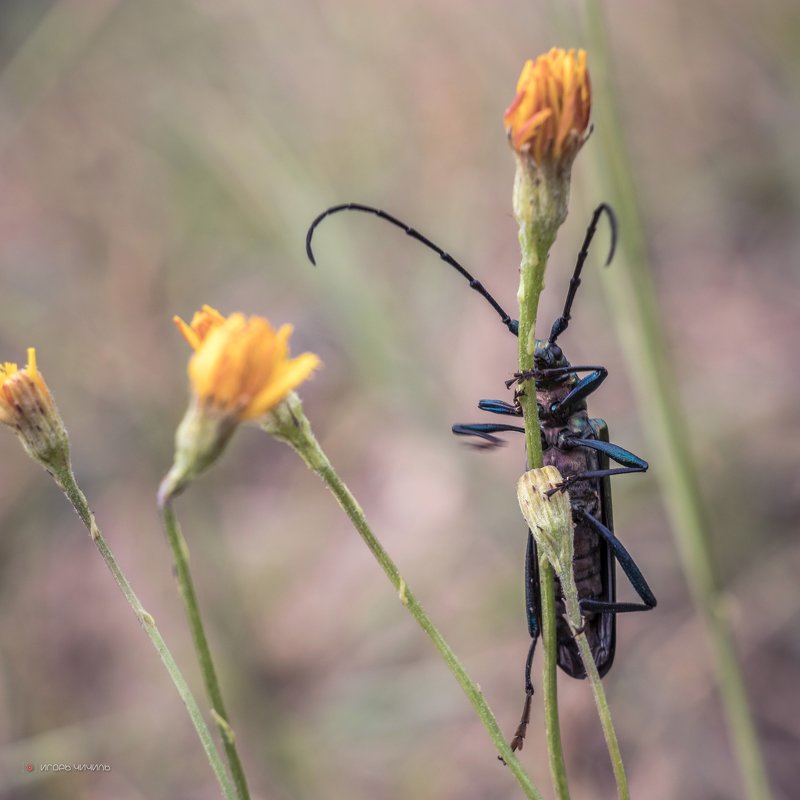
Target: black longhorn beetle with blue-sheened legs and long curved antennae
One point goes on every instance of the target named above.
(580, 448)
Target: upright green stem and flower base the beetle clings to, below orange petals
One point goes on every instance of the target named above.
(539, 208)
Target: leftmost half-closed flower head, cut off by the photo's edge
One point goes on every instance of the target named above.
(27, 406)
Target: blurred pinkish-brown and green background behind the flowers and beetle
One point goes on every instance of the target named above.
(157, 156)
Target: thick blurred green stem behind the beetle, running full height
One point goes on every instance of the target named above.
(641, 333)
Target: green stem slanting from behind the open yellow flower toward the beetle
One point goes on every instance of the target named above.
(289, 424)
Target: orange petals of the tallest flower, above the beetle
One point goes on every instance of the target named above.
(550, 113)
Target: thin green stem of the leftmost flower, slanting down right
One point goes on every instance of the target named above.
(65, 479)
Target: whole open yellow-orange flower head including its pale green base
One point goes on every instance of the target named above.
(240, 371)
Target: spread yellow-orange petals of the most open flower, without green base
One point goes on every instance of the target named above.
(241, 365)
